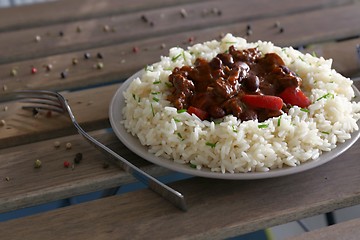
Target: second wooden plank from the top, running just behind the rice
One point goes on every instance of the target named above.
(21, 45)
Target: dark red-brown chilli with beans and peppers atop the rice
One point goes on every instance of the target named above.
(239, 82)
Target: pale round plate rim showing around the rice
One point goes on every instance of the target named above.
(115, 114)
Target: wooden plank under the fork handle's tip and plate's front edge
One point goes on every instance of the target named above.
(217, 208)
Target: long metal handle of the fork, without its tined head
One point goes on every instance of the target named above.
(162, 189)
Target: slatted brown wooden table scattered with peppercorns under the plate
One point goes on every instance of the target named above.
(123, 37)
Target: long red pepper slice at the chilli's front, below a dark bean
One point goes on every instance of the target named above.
(263, 101)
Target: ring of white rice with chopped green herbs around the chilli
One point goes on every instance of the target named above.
(231, 145)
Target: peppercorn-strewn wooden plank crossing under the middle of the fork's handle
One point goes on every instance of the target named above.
(22, 185)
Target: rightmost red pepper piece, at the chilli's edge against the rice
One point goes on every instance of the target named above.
(295, 97)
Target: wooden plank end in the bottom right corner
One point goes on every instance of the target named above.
(349, 230)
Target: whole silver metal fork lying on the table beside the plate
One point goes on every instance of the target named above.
(53, 101)
